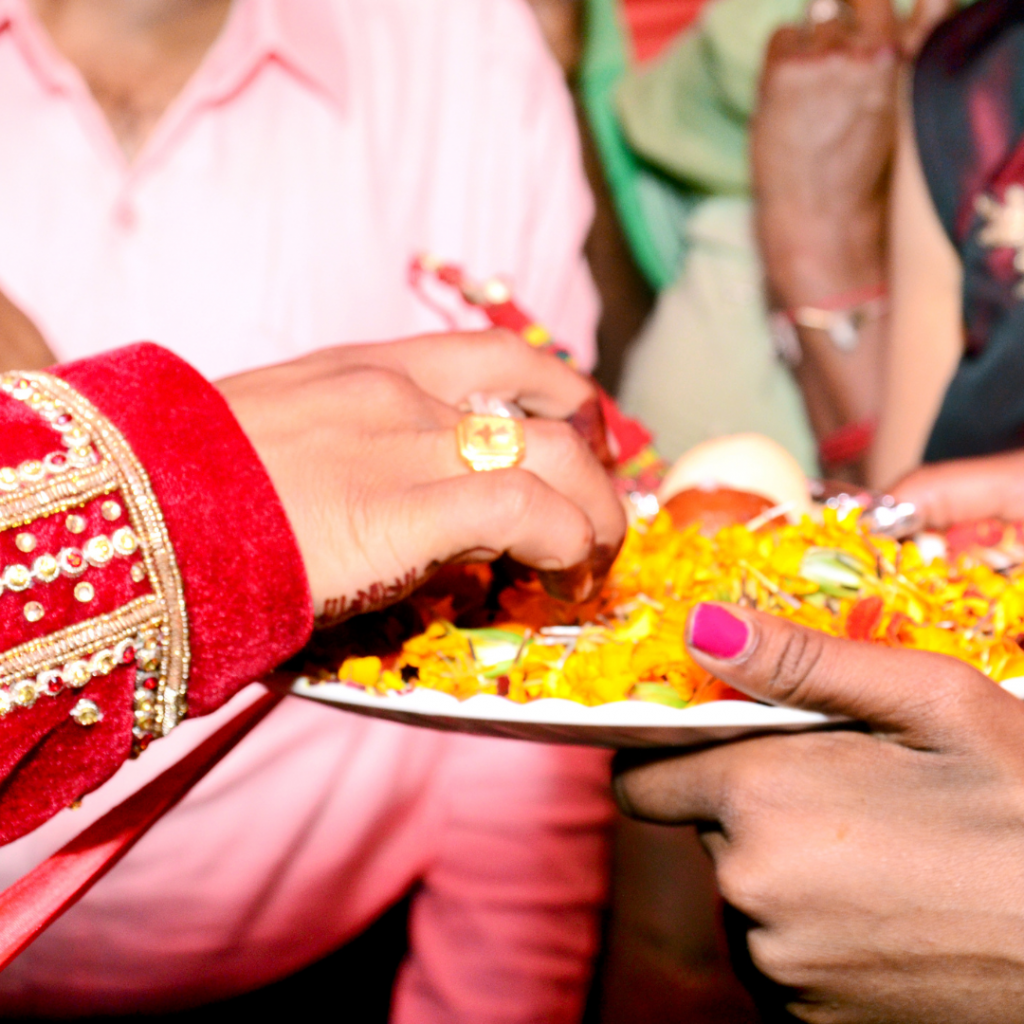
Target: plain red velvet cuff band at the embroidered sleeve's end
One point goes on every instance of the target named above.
(246, 593)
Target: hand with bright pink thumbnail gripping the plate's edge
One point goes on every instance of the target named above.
(883, 871)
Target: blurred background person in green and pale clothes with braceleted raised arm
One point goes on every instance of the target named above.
(688, 139)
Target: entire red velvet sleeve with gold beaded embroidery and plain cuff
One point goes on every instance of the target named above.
(147, 570)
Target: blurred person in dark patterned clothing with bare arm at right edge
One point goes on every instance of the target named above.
(955, 371)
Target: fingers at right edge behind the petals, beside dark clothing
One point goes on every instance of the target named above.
(947, 493)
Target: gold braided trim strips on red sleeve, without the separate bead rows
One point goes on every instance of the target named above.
(118, 468)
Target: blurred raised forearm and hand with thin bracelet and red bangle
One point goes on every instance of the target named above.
(823, 150)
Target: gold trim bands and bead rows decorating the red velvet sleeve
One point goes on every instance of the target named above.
(154, 628)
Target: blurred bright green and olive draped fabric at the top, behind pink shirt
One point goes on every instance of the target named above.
(675, 132)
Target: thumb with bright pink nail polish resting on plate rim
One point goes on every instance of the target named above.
(904, 693)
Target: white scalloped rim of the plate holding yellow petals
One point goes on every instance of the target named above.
(625, 723)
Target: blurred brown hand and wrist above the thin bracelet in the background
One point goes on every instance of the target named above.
(822, 145)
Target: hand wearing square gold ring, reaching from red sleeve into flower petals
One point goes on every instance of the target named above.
(360, 443)
